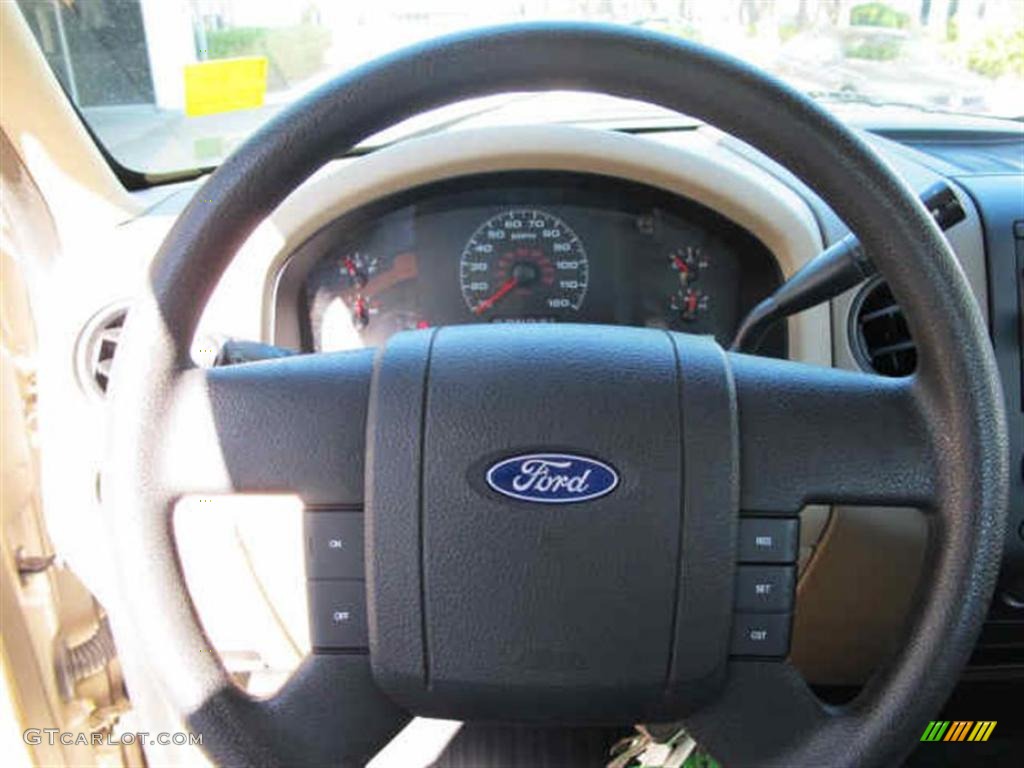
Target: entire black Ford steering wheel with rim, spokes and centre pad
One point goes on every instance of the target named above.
(616, 610)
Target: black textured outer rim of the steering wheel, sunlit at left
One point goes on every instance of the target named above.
(956, 390)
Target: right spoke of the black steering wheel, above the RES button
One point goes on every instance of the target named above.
(812, 435)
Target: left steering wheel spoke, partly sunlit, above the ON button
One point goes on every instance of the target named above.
(287, 425)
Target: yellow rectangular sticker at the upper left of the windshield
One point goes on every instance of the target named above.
(226, 86)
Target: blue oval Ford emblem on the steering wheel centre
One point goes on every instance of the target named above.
(552, 479)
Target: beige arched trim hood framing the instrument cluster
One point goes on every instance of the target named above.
(693, 164)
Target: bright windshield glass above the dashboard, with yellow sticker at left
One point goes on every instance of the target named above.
(174, 86)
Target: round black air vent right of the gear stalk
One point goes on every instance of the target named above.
(881, 338)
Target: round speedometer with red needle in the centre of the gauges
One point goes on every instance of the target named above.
(524, 265)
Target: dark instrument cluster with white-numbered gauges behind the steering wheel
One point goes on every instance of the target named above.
(525, 247)
